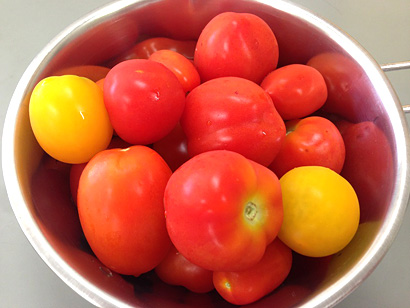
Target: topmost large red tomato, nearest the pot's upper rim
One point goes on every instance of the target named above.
(236, 44)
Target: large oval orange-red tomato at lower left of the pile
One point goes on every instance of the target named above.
(120, 205)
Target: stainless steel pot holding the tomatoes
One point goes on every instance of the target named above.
(366, 94)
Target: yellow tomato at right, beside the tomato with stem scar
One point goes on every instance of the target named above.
(321, 211)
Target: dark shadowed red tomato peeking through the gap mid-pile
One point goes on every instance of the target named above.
(173, 148)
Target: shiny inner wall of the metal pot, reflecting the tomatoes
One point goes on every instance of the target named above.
(355, 104)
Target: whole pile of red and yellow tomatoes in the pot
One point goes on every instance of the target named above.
(203, 160)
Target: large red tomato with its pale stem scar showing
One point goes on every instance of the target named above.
(222, 210)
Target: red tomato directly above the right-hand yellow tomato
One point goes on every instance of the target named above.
(314, 141)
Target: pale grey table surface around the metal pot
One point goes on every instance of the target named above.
(381, 26)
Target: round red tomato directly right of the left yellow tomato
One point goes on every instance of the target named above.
(144, 100)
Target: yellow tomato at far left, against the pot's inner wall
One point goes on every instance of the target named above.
(69, 119)
